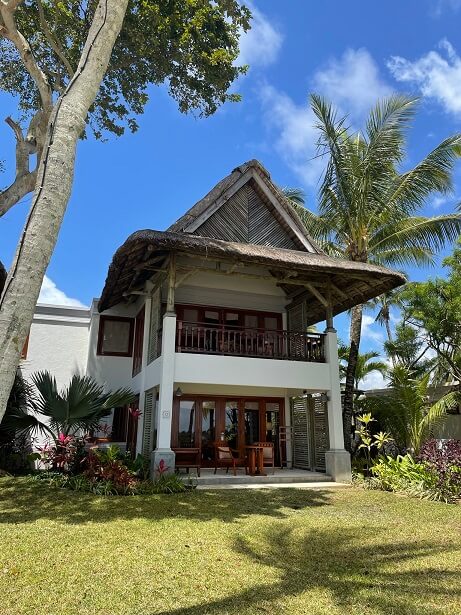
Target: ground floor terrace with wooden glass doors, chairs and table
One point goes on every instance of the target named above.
(240, 434)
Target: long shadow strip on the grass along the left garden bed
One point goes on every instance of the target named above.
(23, 501)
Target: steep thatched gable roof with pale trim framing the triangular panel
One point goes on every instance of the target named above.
(255, 173)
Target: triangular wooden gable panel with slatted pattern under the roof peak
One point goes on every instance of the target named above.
(245, 218)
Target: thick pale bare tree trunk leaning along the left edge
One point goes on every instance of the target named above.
(52, 192)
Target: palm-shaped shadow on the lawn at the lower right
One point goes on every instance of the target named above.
(359, 573)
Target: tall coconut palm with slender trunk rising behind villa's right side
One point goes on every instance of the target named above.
(368, 208)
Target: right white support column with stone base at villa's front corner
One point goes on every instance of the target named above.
(337, 459)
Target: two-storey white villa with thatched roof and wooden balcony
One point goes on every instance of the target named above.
(211, 323)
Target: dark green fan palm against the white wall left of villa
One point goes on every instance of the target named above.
(79, 406)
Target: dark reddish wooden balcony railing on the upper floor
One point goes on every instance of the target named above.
(235, 341)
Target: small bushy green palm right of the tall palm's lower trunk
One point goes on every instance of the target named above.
(407, 412)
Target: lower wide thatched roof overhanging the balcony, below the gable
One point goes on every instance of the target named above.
(352, 283)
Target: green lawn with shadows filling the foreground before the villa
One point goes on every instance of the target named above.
(227, 552)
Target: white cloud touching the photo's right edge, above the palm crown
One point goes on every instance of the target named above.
(437, 75)
